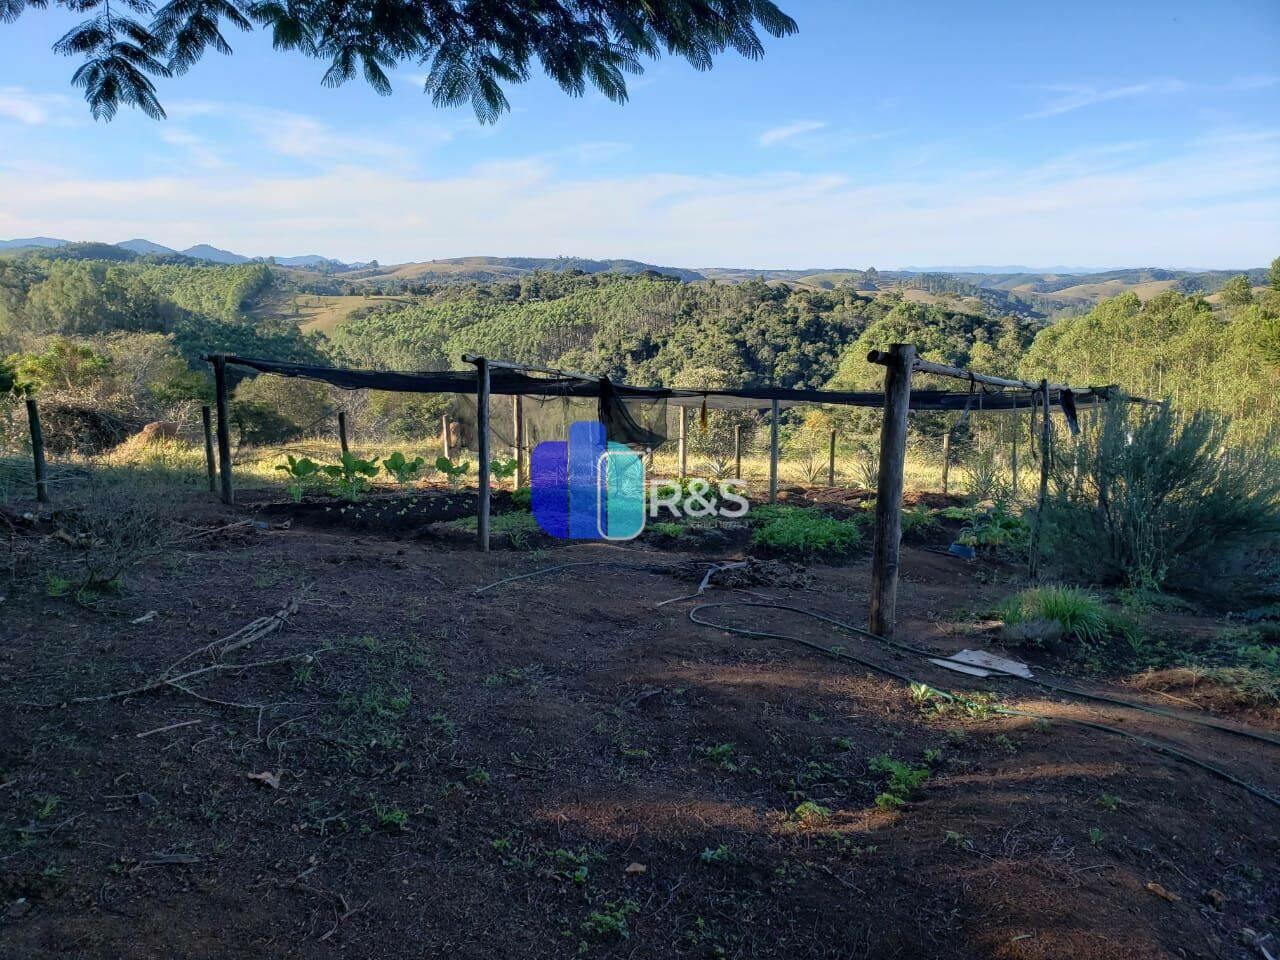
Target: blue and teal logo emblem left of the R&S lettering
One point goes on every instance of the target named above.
(588, 488)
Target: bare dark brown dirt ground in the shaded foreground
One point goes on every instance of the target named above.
(561, 767)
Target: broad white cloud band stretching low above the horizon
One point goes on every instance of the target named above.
(1215, 203)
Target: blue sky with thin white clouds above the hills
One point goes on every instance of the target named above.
(921, 132)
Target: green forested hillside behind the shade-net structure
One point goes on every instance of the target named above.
(58, 310)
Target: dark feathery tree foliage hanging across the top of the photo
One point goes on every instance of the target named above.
(472, 48)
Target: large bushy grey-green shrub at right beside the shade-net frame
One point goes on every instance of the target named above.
(1145, 493)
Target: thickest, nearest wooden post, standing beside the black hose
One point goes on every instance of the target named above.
(889, 492)
